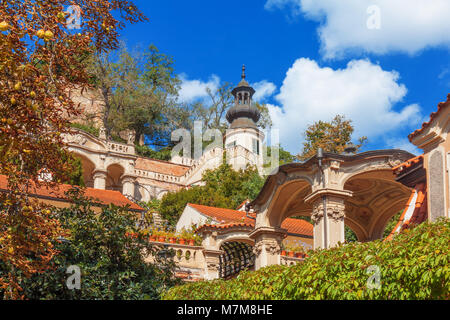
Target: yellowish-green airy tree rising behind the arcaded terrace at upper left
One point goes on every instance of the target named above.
(139, 91)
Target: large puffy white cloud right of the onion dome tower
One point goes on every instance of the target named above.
(363, 92)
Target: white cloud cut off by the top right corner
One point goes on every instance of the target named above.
(405, 25)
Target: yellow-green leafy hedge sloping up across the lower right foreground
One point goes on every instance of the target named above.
(414, 265)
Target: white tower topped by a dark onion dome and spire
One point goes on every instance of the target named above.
(243, 130)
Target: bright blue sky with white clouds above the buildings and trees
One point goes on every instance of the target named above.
(385, 68)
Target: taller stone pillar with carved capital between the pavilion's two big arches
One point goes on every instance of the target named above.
(328, 217)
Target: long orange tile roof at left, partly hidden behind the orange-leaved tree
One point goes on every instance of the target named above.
(104, 197)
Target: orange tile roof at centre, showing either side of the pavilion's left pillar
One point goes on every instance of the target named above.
(227, 216)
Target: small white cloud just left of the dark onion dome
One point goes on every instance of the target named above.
(192, 90)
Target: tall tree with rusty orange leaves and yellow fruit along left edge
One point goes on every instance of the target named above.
(41, 60)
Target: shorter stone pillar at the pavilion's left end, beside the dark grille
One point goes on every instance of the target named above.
(267, 245)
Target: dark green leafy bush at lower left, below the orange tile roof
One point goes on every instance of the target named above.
(111, 260)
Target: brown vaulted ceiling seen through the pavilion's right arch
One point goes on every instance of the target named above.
(376, 197)
